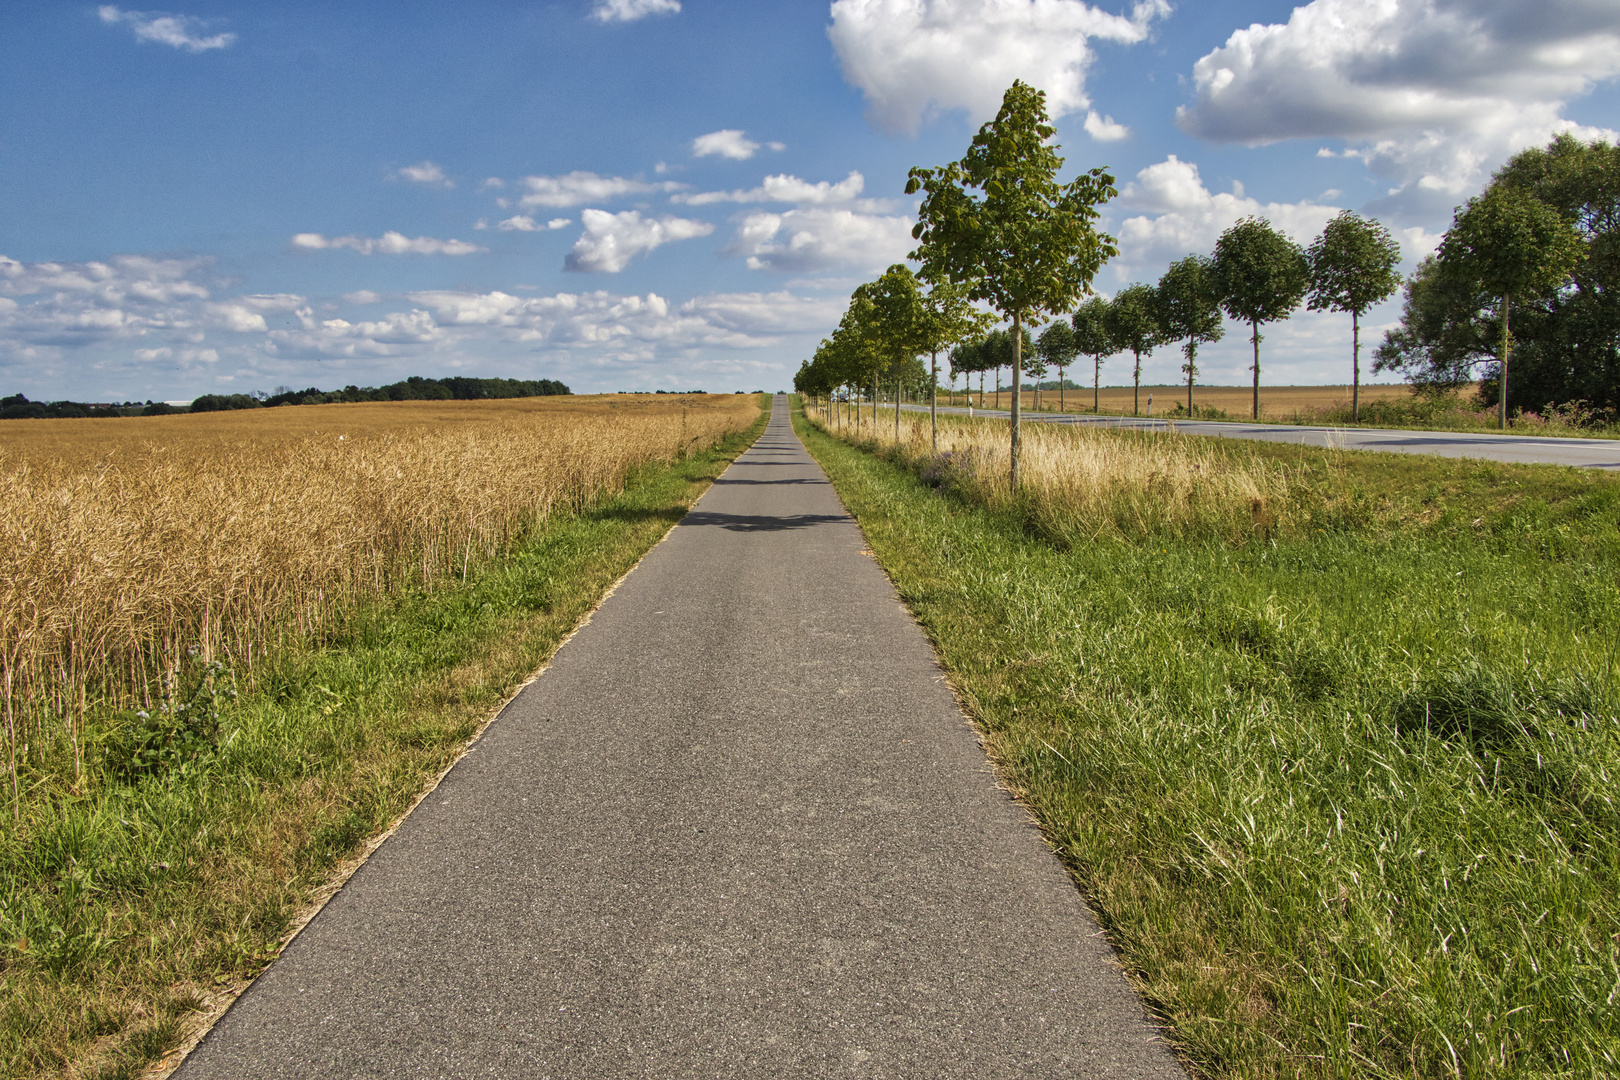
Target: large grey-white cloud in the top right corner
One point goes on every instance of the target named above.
(1430, 93)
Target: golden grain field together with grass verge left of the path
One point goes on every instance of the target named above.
(236, 653)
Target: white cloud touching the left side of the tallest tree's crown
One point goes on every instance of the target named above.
(822, 239)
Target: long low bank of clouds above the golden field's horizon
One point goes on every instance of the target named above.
(160, 330)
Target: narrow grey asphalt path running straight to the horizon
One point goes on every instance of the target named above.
(740, 828)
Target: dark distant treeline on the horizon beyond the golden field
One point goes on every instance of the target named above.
(414, 389)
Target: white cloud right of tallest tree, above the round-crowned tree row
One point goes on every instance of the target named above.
(1183, 216)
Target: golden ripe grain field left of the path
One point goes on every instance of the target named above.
(127, 545)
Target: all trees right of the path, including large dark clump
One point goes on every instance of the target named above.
(997, 231)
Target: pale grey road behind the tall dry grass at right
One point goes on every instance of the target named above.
(1451, 444)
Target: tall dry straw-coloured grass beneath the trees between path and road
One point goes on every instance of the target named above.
(1086, 483)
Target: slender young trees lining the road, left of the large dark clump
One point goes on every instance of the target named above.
(997, 231)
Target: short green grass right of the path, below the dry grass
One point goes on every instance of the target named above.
(1342, 796)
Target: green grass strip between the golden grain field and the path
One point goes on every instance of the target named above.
(126, 909)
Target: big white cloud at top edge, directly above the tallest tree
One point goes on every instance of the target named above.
(918, 57)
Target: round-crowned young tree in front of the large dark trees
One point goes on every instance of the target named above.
(1512, 245)
